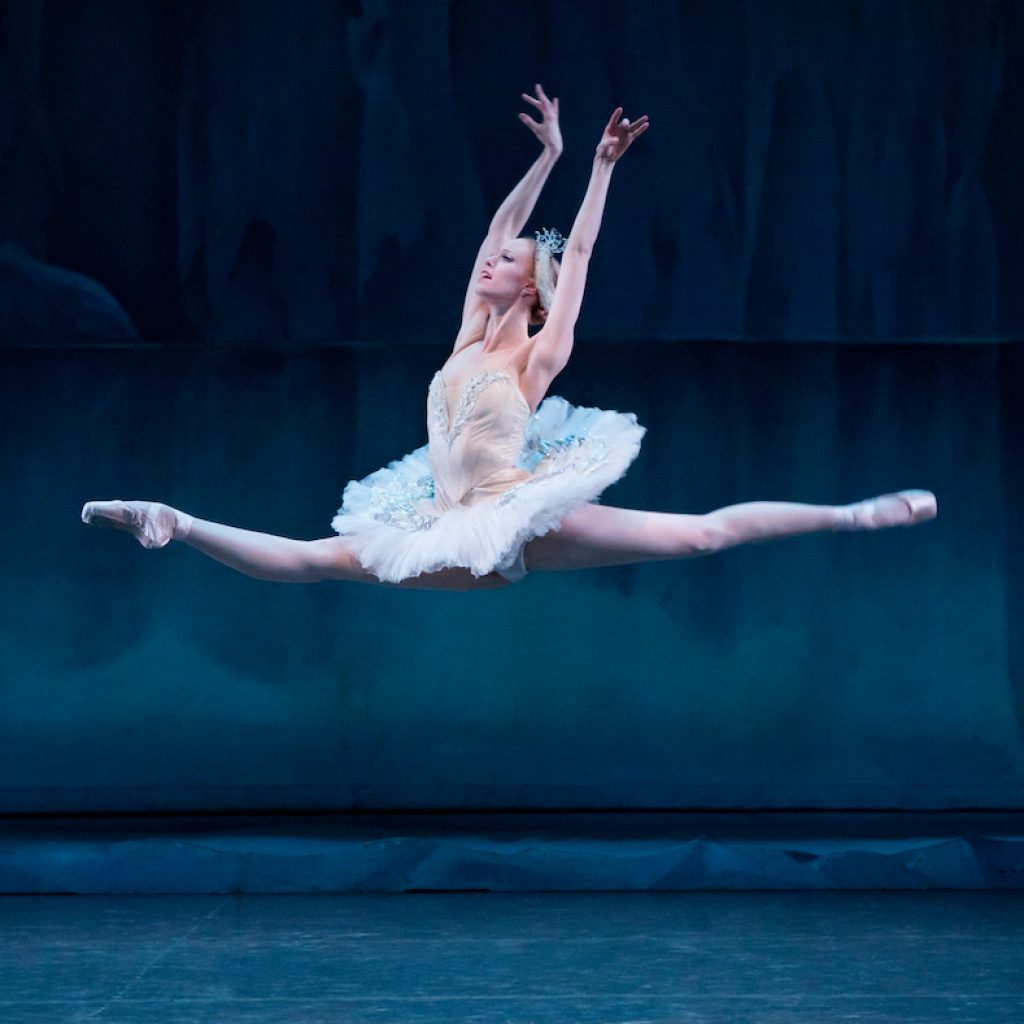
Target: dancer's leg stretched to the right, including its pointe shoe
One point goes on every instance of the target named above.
(601, 535)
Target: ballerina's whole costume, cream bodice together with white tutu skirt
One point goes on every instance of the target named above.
(490, 480)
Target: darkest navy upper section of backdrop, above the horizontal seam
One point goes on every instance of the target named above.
(323, 170)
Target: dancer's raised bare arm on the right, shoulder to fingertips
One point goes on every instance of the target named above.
(553, 344)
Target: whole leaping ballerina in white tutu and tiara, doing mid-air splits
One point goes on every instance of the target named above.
(508, 480)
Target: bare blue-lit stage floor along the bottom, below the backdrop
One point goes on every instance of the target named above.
(516, 959)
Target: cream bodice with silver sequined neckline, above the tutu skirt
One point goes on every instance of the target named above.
(476, 442)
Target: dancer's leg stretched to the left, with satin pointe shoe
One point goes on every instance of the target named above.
(264, 557)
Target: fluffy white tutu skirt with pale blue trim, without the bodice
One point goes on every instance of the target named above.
(572, 455)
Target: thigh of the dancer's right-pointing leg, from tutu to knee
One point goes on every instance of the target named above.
(601, 535)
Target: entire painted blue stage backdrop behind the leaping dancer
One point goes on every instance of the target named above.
(233, 251)
